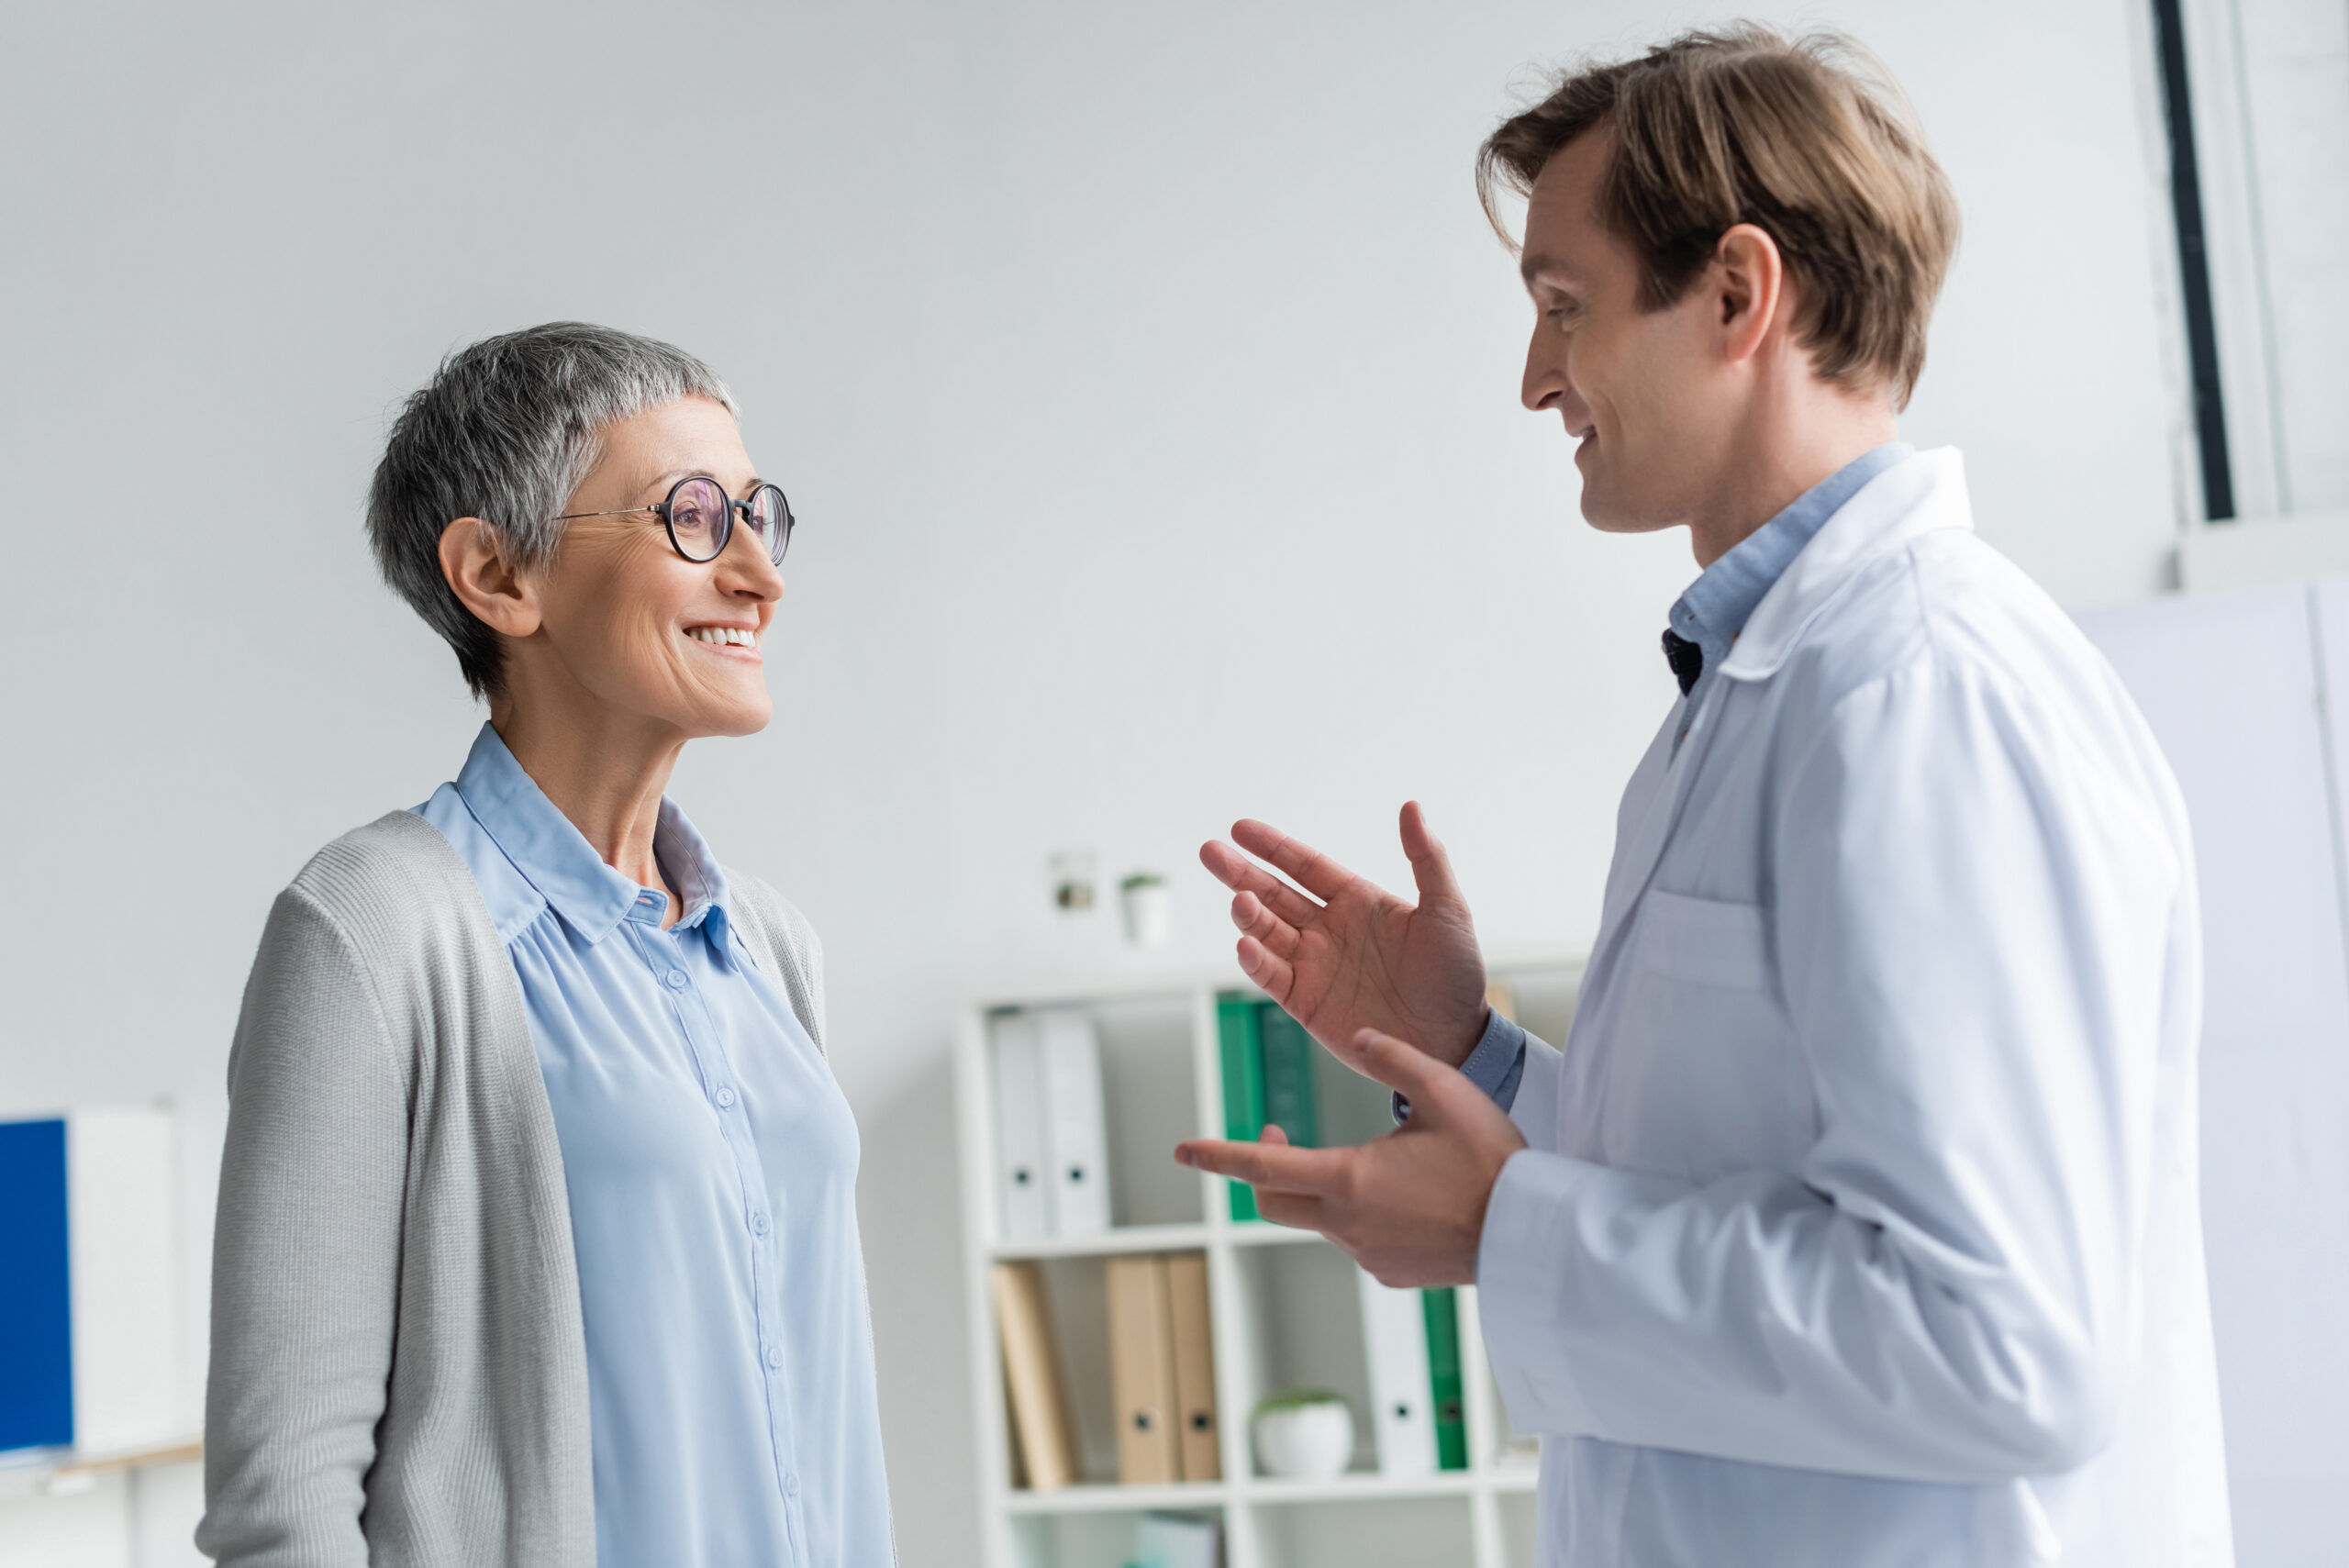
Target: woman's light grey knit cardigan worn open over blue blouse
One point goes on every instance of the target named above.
(398, 1365)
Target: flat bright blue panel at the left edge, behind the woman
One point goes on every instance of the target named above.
(36, 1306)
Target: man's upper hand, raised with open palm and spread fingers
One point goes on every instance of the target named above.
(1354, 957)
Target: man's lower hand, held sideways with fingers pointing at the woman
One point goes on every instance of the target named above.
(1408, 1208)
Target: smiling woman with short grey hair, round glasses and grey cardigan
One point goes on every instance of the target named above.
(537, 1236)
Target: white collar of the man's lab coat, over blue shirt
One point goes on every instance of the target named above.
(1906, 501)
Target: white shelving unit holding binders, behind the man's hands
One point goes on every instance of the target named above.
(1284, 1311)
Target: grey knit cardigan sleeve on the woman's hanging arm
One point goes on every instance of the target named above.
(307, 1255)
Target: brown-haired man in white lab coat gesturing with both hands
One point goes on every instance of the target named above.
(1857, 1222)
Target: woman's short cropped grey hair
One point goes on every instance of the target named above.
(509, 431)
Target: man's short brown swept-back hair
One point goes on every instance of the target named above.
(1808, 140)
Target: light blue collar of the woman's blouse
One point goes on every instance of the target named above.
(558, 860)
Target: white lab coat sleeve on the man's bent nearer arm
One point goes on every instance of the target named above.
(1972, 921)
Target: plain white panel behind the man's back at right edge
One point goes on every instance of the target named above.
(2249, 696)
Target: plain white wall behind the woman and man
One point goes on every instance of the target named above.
(1145, 381)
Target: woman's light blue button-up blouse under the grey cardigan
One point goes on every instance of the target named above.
(713, 1172)
